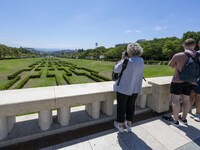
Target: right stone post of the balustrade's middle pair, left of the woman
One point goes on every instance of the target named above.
(64, 115)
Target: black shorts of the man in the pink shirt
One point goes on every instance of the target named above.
(184, 88)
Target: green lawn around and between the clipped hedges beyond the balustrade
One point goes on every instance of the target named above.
(8, 67)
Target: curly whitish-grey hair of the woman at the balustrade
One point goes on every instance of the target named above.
(135, 49)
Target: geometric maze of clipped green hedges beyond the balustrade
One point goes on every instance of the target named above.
(54, 70)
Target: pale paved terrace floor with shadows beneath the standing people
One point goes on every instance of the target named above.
(153, 134)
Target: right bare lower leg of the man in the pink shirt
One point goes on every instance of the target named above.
(186, 106)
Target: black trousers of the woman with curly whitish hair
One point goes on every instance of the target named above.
(125, 107)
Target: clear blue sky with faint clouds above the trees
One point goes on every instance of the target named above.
(72, 24)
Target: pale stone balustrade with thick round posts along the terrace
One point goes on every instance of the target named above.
(97, 97)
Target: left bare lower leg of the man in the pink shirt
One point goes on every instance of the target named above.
(175, 106)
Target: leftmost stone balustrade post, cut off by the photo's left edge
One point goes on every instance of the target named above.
(3, 127)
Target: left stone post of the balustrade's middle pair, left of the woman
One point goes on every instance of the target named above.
(45, 119)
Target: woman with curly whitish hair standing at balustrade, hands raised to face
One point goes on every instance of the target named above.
(129, 87)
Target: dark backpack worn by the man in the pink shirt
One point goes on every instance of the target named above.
(191, 69)
